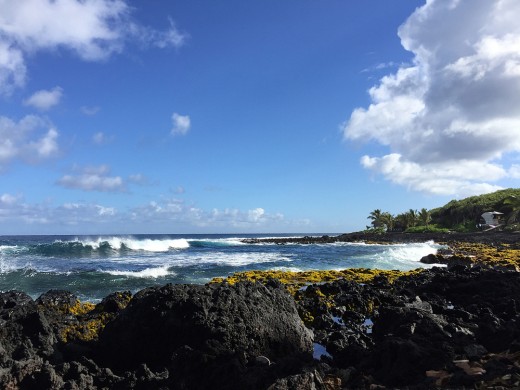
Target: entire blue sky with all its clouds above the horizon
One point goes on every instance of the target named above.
(265, 116)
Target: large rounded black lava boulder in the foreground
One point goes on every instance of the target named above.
(246, 319)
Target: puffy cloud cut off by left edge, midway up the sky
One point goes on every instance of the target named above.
(32, 139)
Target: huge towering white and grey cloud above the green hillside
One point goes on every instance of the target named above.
(451, 118)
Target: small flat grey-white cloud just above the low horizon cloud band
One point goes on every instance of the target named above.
(93, 179)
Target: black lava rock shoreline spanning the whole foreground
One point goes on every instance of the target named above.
(456, 327)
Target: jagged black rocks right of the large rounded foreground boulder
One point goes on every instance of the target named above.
(437, 328)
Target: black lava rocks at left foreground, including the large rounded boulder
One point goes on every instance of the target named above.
(176, 336)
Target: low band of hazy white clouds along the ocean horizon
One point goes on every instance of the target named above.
(163, 215)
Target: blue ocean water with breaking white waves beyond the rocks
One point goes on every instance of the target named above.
(94, 266)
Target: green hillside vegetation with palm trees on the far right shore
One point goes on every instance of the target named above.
(457, 215)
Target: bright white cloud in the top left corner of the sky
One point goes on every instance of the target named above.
(92, 29)
